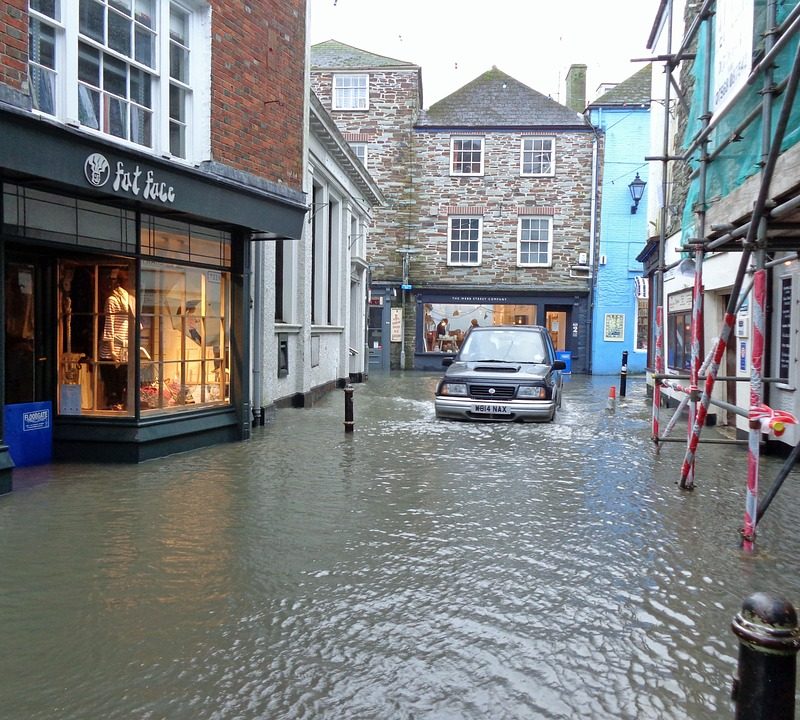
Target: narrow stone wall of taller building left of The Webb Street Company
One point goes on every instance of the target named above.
(387, 129)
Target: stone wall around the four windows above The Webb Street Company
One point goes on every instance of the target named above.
(501, 196)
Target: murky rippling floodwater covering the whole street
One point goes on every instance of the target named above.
(412, 569)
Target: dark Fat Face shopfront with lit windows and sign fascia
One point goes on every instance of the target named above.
(126, 332)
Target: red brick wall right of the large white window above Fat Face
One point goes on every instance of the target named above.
(258, 92)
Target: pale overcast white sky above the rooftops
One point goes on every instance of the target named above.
(534, 41)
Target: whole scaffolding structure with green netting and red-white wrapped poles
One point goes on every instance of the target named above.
(722, 150)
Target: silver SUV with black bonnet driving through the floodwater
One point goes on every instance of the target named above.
(502, 372)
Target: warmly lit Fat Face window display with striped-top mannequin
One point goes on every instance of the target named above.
(180, 325)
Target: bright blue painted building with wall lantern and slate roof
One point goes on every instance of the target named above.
(620, 313)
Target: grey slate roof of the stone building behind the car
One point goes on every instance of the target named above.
(495, 99)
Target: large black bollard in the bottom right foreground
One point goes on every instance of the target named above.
(764, 686)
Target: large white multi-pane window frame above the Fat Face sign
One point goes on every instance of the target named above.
(156, 119)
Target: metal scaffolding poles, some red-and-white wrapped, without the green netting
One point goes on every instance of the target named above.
(752, 239)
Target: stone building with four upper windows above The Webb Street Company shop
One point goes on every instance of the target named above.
(507, 238)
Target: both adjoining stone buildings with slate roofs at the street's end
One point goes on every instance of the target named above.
(506, 239)
